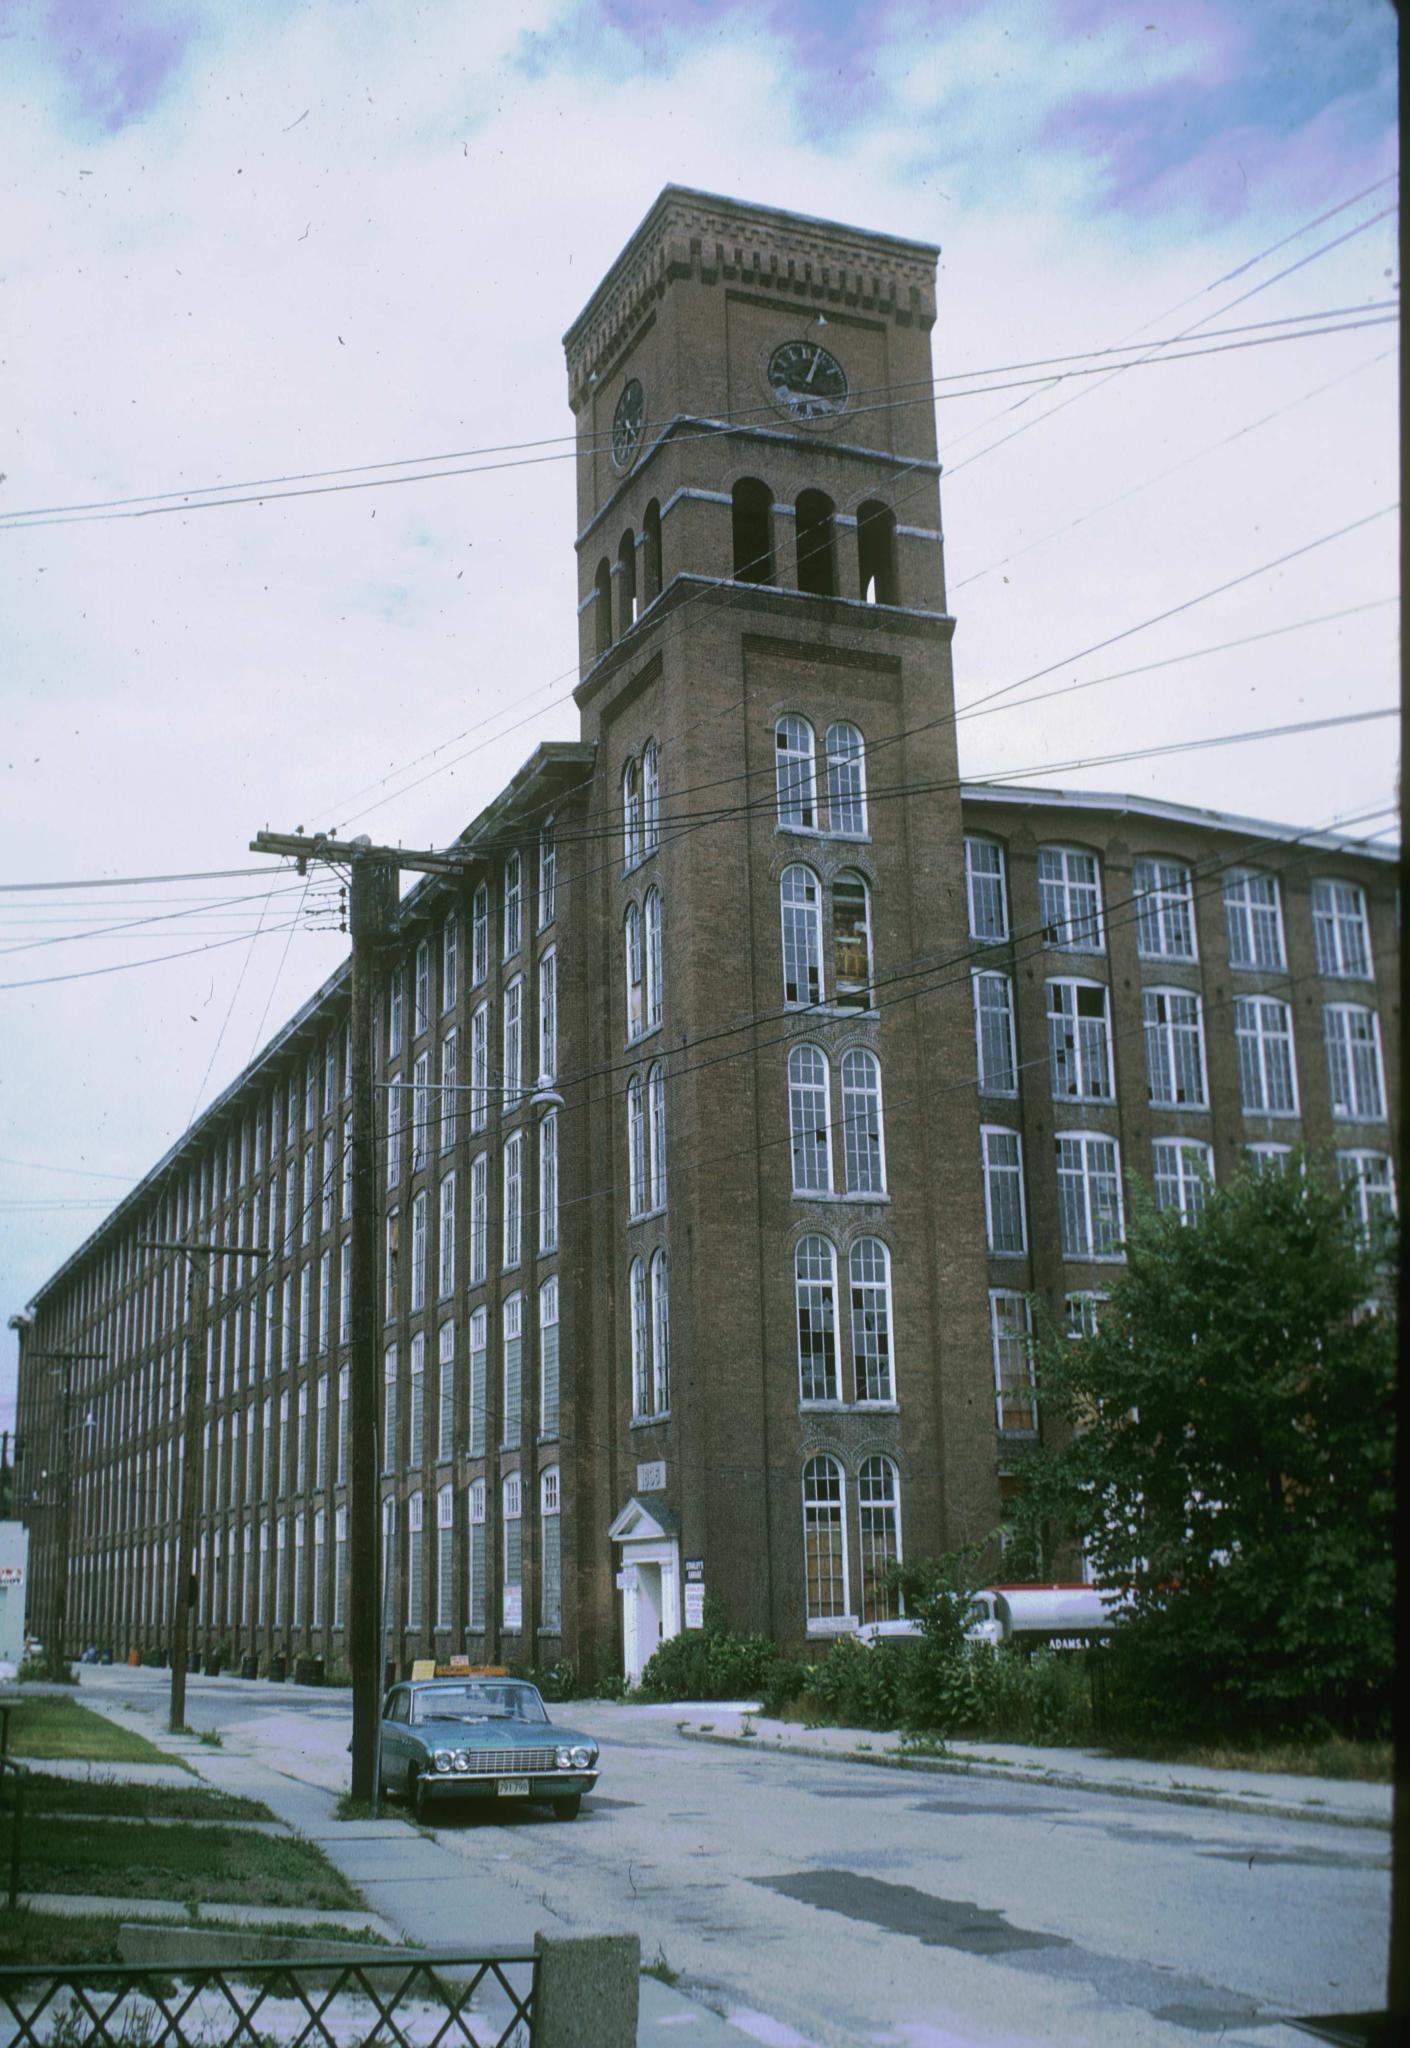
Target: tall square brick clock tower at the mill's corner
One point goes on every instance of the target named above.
(790, 1367)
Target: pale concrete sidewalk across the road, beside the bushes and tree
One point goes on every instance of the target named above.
(1331, 1801)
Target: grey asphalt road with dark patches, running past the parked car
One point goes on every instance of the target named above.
(831, 1904)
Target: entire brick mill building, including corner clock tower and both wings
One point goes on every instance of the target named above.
(739, 1097)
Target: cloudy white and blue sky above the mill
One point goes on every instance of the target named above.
(286, 239)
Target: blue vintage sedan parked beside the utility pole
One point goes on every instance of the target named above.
(481, 1740)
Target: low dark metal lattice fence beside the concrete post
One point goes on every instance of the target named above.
(392, 2000)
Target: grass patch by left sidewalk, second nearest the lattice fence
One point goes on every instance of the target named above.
(208, 1865)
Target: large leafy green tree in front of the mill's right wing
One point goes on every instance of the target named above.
(1229, 1457)
